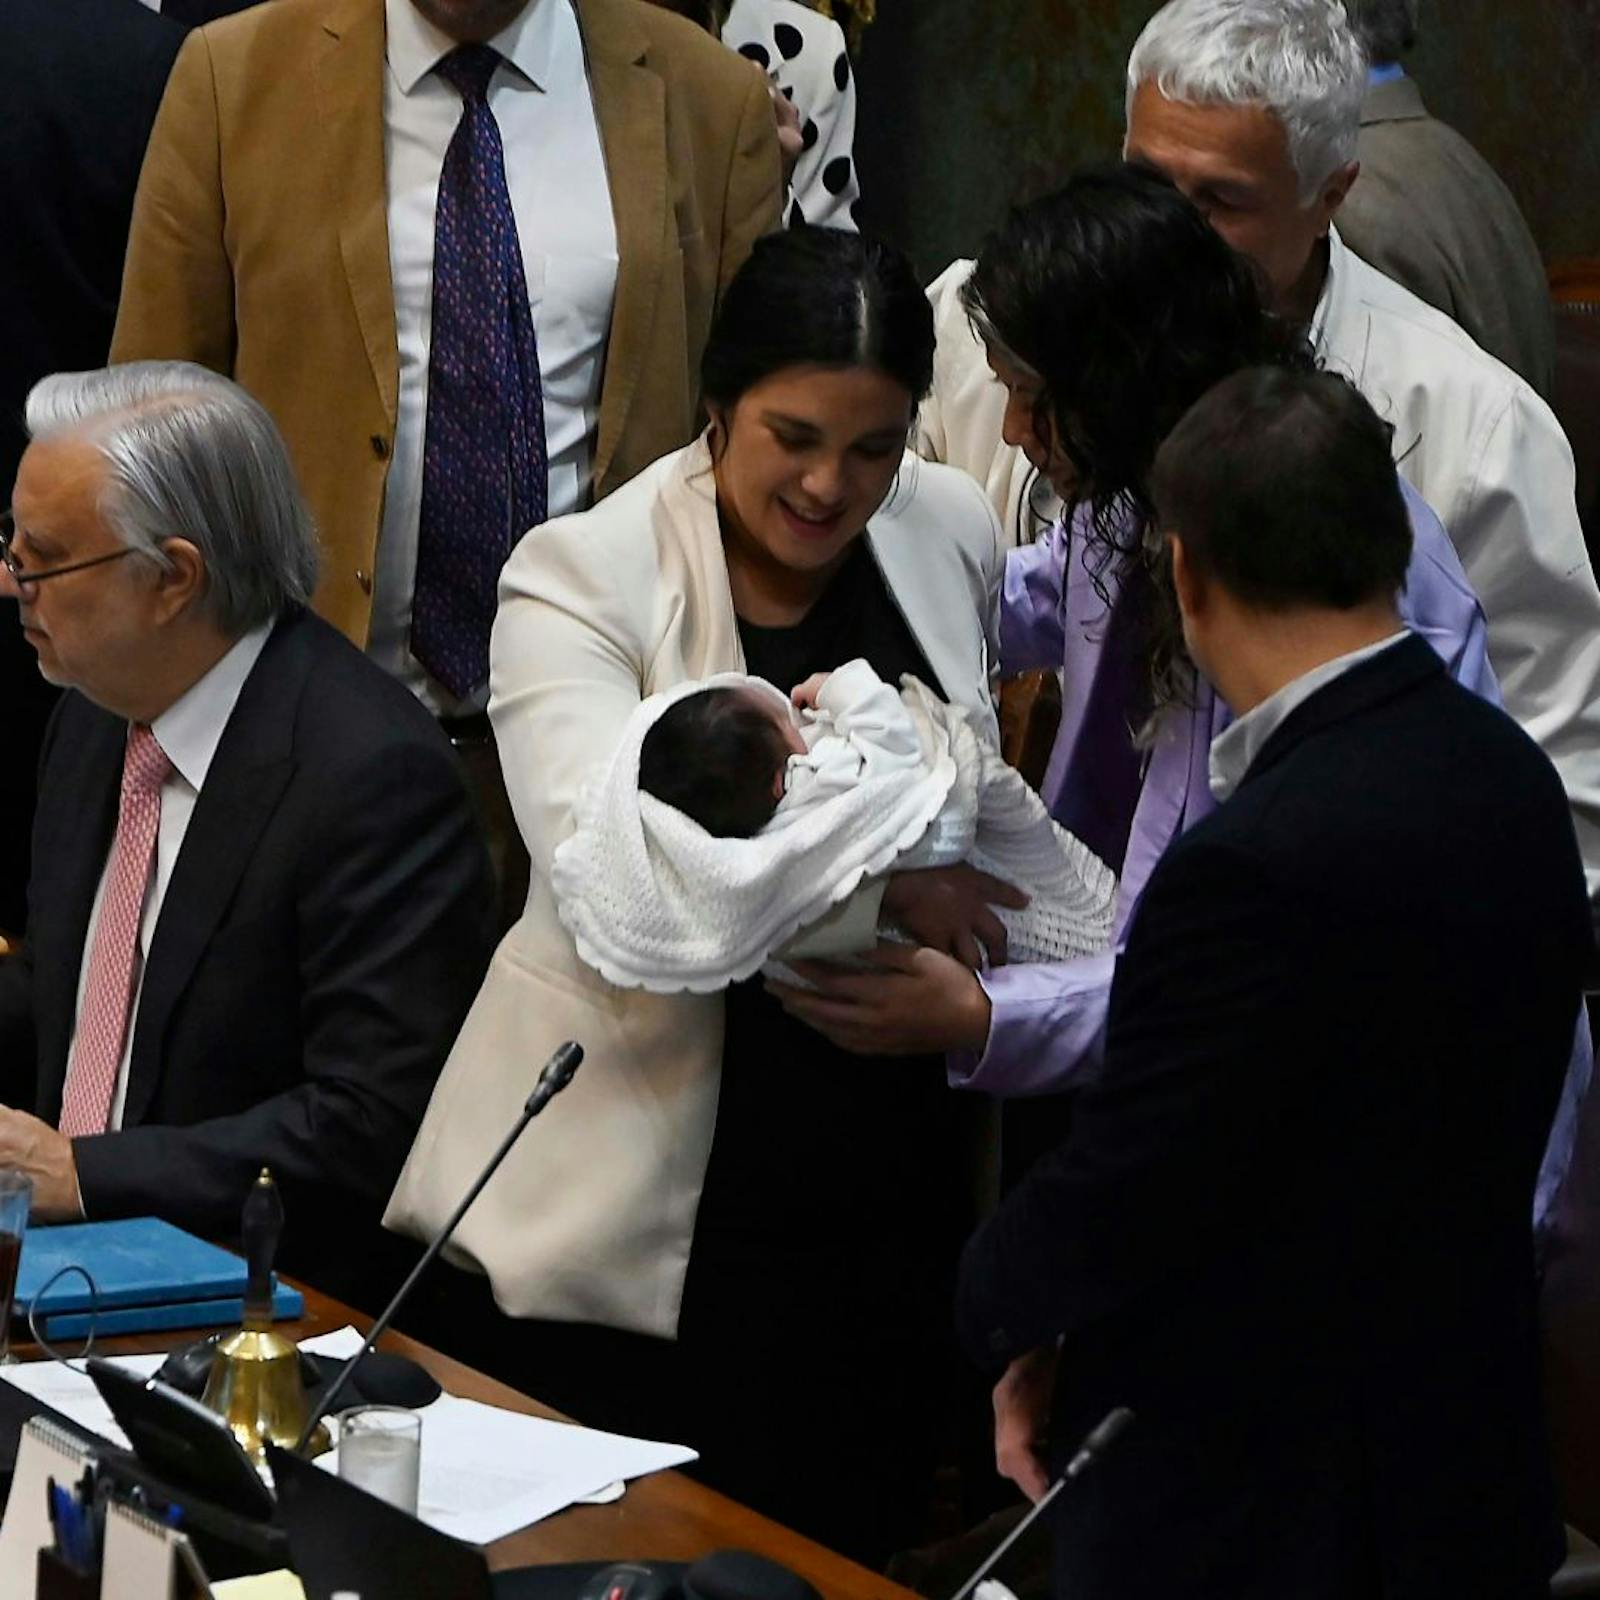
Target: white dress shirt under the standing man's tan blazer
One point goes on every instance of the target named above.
(562, 204)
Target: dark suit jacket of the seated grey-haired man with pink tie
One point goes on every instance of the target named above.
(322, 935)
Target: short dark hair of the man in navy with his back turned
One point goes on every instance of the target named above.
(1284, 492)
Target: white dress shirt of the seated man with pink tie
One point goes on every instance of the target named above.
(188, 732)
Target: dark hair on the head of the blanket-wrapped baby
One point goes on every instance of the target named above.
(714, 756)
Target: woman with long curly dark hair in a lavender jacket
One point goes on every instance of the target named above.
(1108, 310)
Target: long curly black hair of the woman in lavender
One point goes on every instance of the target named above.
(1129, 306)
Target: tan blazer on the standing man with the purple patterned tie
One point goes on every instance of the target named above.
(260, 241)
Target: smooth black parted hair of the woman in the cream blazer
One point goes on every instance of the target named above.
(826, 297)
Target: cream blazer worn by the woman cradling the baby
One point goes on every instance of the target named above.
(593, 1215)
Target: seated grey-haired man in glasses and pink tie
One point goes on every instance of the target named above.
(258, 906)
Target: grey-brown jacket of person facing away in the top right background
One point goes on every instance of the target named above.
(1438, 218)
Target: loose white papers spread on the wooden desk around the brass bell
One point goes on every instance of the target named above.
(486, 1473)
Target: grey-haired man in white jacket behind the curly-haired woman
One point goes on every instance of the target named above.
(1252, 108)
